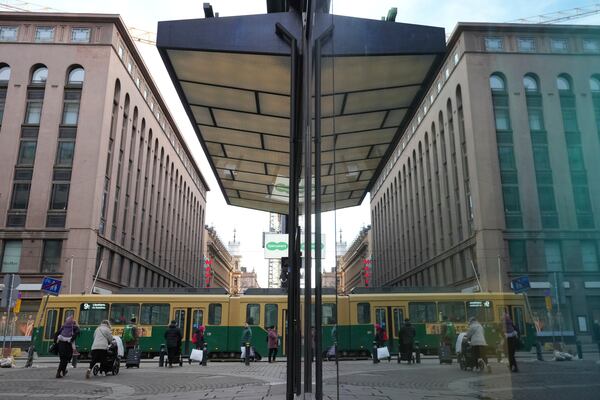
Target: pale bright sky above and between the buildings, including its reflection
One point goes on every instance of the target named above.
(249, 224)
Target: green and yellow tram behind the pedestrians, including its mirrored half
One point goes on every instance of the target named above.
(224, 316)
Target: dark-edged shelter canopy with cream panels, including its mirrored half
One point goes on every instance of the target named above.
(233, 76)
